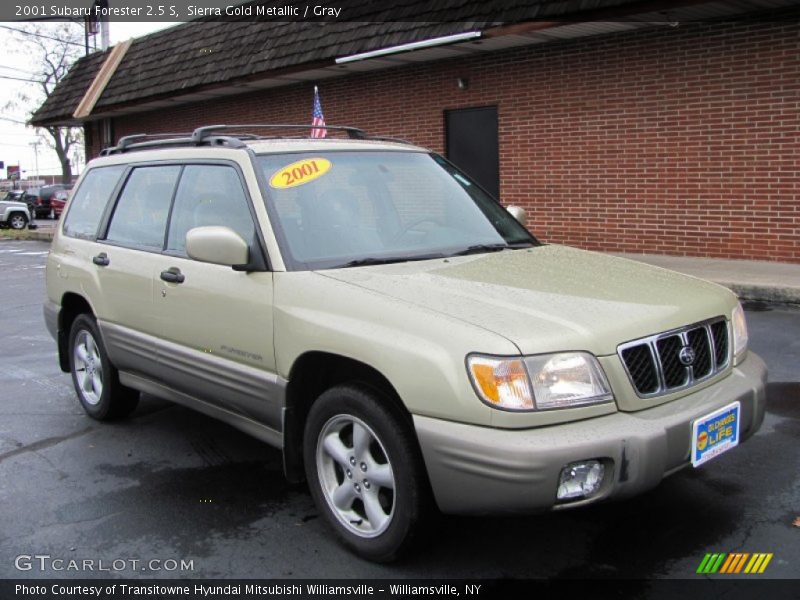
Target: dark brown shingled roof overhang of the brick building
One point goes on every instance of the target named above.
(203, 60)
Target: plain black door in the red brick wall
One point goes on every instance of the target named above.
(472, 144)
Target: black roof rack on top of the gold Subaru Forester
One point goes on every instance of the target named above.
(209, 136)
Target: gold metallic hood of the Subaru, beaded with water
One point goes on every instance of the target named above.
(551, 297)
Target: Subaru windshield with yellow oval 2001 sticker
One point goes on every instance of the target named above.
(347, 208)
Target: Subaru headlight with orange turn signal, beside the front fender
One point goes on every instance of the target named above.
(541, 382)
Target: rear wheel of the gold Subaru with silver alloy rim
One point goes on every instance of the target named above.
(96, 380)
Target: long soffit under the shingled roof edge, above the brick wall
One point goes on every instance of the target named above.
(386, 58)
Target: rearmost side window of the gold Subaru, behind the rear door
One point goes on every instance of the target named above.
(89, 201)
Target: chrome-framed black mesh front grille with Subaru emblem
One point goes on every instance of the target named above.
(674, 360)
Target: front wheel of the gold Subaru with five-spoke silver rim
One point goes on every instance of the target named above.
(406, 511)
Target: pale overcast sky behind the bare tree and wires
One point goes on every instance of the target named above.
(15, 138)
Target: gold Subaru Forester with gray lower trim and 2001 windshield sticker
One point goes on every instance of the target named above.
(367, 308)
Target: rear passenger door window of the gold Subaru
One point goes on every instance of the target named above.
(140, 217)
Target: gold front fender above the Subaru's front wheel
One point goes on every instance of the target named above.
(420, 352)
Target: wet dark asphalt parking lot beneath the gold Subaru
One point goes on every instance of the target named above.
(170, 484)
